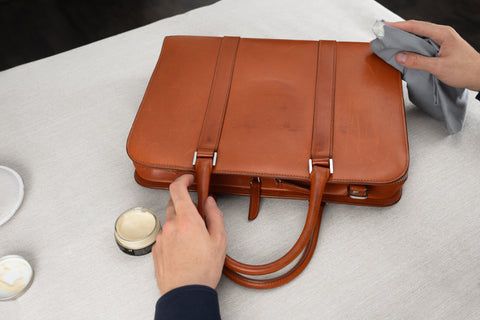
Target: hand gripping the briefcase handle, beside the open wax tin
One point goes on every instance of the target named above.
(187, 251)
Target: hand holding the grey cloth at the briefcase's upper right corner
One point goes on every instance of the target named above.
(457, 64)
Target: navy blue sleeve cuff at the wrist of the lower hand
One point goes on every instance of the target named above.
(188, 302)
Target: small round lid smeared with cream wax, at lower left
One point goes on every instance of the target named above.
(16, 276)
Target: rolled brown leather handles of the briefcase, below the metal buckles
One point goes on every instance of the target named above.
(305, 243)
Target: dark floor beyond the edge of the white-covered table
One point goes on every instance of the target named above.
(33, 29)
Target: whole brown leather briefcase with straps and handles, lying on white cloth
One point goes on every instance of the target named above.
(317, 120)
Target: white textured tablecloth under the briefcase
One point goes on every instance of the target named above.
(64, 121)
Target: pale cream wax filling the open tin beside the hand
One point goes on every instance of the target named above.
(135, 224)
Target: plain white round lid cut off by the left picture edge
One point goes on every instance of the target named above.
(11, 189)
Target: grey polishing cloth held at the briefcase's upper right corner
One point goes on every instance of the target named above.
(439, 100)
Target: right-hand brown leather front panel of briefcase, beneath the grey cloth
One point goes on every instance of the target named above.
(370, 142)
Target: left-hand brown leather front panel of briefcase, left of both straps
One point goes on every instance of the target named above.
(166, 131)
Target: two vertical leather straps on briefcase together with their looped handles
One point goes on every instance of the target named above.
(321, 152)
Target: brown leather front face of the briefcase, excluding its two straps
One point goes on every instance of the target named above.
(269, 110)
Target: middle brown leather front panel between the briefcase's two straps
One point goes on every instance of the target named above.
(270, 106)
